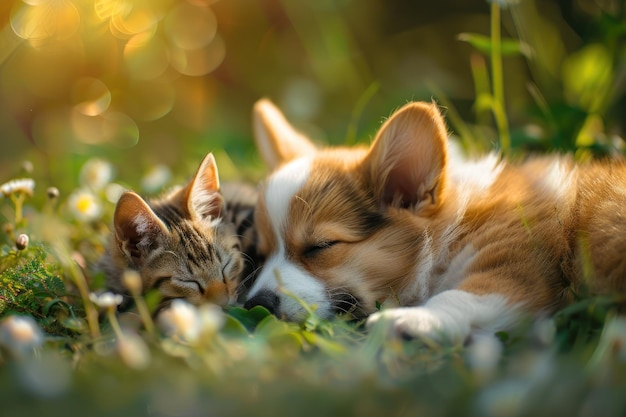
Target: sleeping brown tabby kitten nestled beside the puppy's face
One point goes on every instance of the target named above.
(186, 245)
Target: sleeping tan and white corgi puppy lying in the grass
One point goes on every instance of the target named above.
(460, 246)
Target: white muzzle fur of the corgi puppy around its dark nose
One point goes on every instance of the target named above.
(277, 272)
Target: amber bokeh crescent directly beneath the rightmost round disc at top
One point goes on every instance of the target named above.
(196, 62)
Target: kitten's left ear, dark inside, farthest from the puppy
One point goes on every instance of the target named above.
(136, 225)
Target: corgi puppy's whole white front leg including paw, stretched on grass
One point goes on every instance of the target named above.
(450, 316)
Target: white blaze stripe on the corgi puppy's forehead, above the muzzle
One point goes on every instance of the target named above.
(281, 187)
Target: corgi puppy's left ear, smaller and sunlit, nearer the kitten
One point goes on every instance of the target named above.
(277, 141)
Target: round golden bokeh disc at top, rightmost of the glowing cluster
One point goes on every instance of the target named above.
(190, 27)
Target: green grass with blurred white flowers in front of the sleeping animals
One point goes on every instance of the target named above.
(242, 362)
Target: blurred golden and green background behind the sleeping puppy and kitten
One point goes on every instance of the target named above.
(146, 82)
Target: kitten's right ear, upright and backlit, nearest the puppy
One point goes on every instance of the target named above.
(201, 197)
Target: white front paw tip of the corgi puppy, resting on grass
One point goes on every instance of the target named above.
(420, 322)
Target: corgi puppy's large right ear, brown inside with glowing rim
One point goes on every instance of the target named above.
(406, 163)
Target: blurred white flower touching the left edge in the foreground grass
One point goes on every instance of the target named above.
(20, 335)
